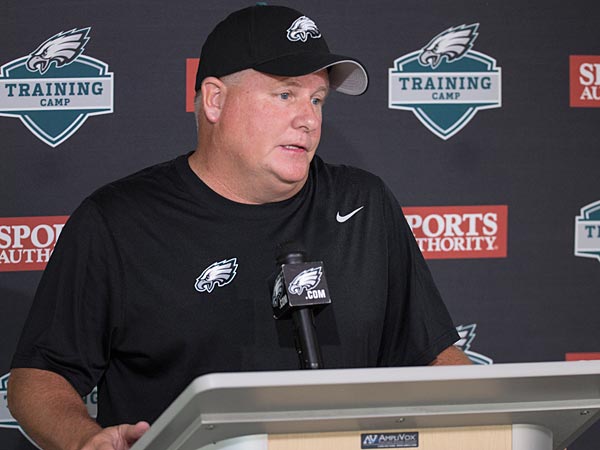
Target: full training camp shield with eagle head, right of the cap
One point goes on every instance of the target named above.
(446, 82)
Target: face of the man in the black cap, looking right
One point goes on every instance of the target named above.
(269, 130)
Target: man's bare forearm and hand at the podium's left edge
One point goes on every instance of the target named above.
(53, 414)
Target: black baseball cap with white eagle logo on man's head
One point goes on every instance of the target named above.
(279, 41)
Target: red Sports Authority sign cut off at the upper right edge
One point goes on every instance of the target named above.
(584, 75)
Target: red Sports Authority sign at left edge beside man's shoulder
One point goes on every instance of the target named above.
(26, 243)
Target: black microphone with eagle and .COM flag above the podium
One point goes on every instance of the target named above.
(299, 287)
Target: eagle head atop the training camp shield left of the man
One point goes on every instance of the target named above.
(61, 49)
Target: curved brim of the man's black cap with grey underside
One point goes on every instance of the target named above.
(346, 75)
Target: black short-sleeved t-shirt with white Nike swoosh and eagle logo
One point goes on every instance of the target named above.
(120, 304)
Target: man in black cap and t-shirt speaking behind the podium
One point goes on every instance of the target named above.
(161, 277)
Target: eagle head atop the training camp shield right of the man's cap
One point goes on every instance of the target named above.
(452, 44)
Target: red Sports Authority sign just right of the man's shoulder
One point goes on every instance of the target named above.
(445, 232)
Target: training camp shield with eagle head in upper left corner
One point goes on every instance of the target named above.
(55, 88)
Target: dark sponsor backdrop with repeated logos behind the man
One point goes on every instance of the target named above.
(482, 116)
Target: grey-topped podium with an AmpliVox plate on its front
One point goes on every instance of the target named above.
(530, 406)
